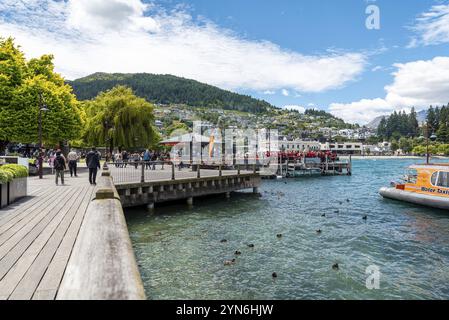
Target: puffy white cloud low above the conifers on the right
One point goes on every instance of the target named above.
(416, 84)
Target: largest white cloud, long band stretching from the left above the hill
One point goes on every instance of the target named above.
(129, 36)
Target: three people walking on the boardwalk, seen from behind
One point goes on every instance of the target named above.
(60, 163)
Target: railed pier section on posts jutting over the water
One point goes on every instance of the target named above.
(142, 186)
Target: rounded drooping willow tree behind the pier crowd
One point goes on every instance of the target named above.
(119, 118)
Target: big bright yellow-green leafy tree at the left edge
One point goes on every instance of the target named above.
(21, 85)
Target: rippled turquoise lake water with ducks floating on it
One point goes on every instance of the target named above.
(180, 254)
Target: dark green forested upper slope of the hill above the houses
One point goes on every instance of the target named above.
(168, 89)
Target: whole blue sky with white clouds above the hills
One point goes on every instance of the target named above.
(295, 54)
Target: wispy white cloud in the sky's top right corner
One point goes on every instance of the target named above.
(432, 27)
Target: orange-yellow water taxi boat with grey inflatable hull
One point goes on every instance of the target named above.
(425, 184)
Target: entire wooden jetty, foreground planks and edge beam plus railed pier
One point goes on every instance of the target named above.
(72, 242)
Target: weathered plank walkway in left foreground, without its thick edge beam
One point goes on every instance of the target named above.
(37, 235)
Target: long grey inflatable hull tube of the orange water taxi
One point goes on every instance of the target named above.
(416, 198)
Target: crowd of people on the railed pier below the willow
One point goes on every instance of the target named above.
(123, 158)
